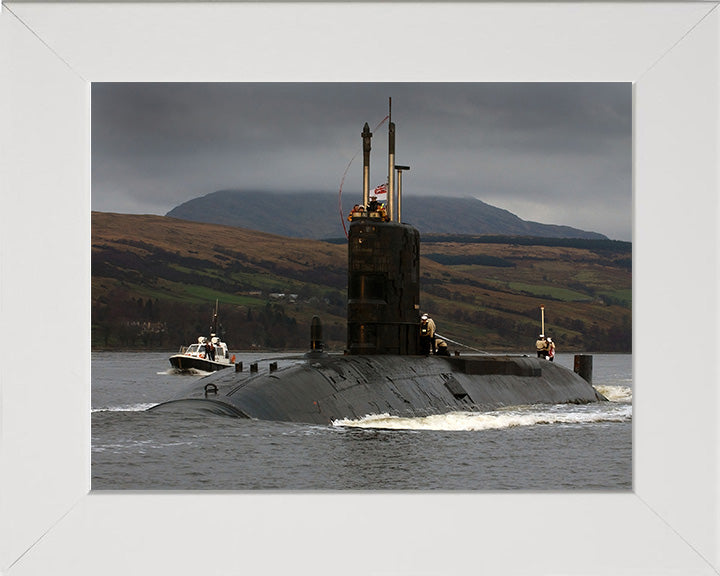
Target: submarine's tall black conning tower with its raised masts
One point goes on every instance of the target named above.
(383, 270)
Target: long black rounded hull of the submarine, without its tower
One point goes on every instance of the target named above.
(330, 388)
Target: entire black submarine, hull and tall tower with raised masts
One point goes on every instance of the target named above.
(383, 370)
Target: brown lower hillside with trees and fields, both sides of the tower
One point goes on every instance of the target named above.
(155, 280)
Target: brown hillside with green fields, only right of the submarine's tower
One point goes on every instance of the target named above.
(493, 293)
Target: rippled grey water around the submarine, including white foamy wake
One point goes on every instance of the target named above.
(529, 448)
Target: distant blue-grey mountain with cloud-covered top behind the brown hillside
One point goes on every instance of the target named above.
(317, 215)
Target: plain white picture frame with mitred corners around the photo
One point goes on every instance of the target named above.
(50, 522)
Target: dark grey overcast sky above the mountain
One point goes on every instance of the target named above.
(554, 153)
